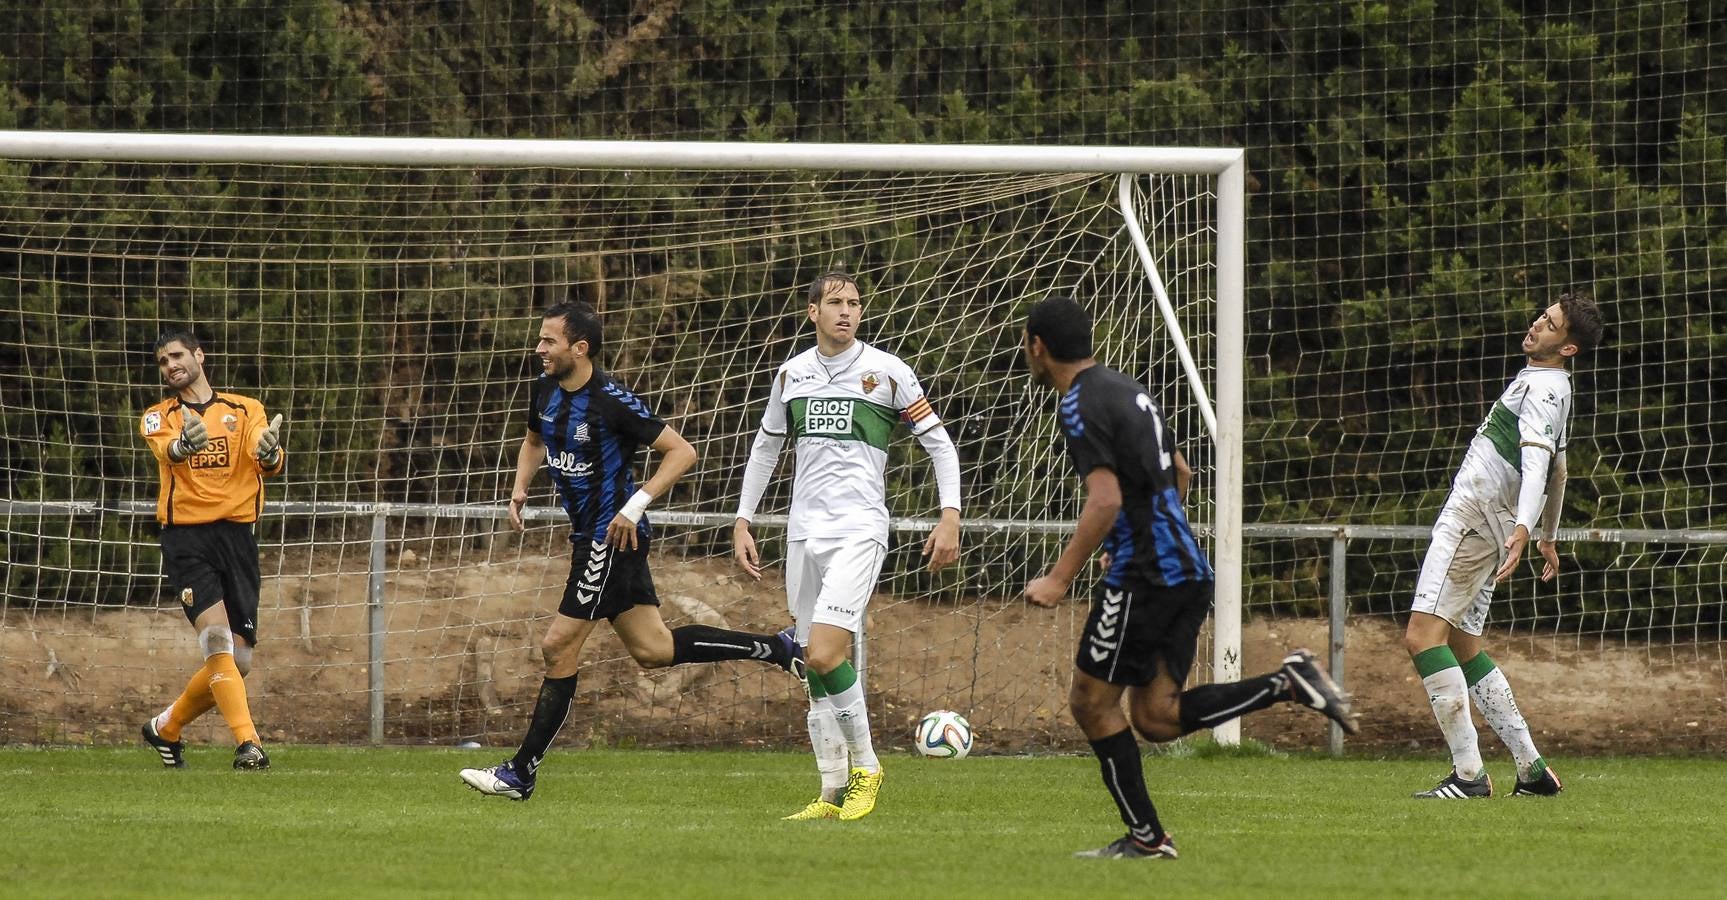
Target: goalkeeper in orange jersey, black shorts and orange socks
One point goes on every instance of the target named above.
(213, 452)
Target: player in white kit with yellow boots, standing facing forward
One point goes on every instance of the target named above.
(840, 402)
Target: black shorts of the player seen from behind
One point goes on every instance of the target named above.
(1134, 628)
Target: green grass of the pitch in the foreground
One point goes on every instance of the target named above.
(616, 823)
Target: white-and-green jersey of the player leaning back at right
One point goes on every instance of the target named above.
(1534, 410)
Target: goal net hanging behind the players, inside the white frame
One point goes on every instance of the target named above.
(386, 295)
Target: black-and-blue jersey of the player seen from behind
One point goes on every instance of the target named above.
(1111, 422)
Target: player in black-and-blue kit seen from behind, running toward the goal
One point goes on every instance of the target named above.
(1156, 592)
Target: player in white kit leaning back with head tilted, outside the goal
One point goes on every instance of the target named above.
(1510, 481)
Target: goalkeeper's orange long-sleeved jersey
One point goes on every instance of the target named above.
(224, 479)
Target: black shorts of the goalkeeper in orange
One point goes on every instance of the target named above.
(215, 564)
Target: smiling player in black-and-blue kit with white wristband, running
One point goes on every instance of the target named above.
(586, 429)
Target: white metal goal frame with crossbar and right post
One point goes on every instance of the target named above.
(1227, 167)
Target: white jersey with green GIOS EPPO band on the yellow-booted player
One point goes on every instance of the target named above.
(840, 414)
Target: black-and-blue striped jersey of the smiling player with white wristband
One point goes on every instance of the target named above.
(591, 438)
